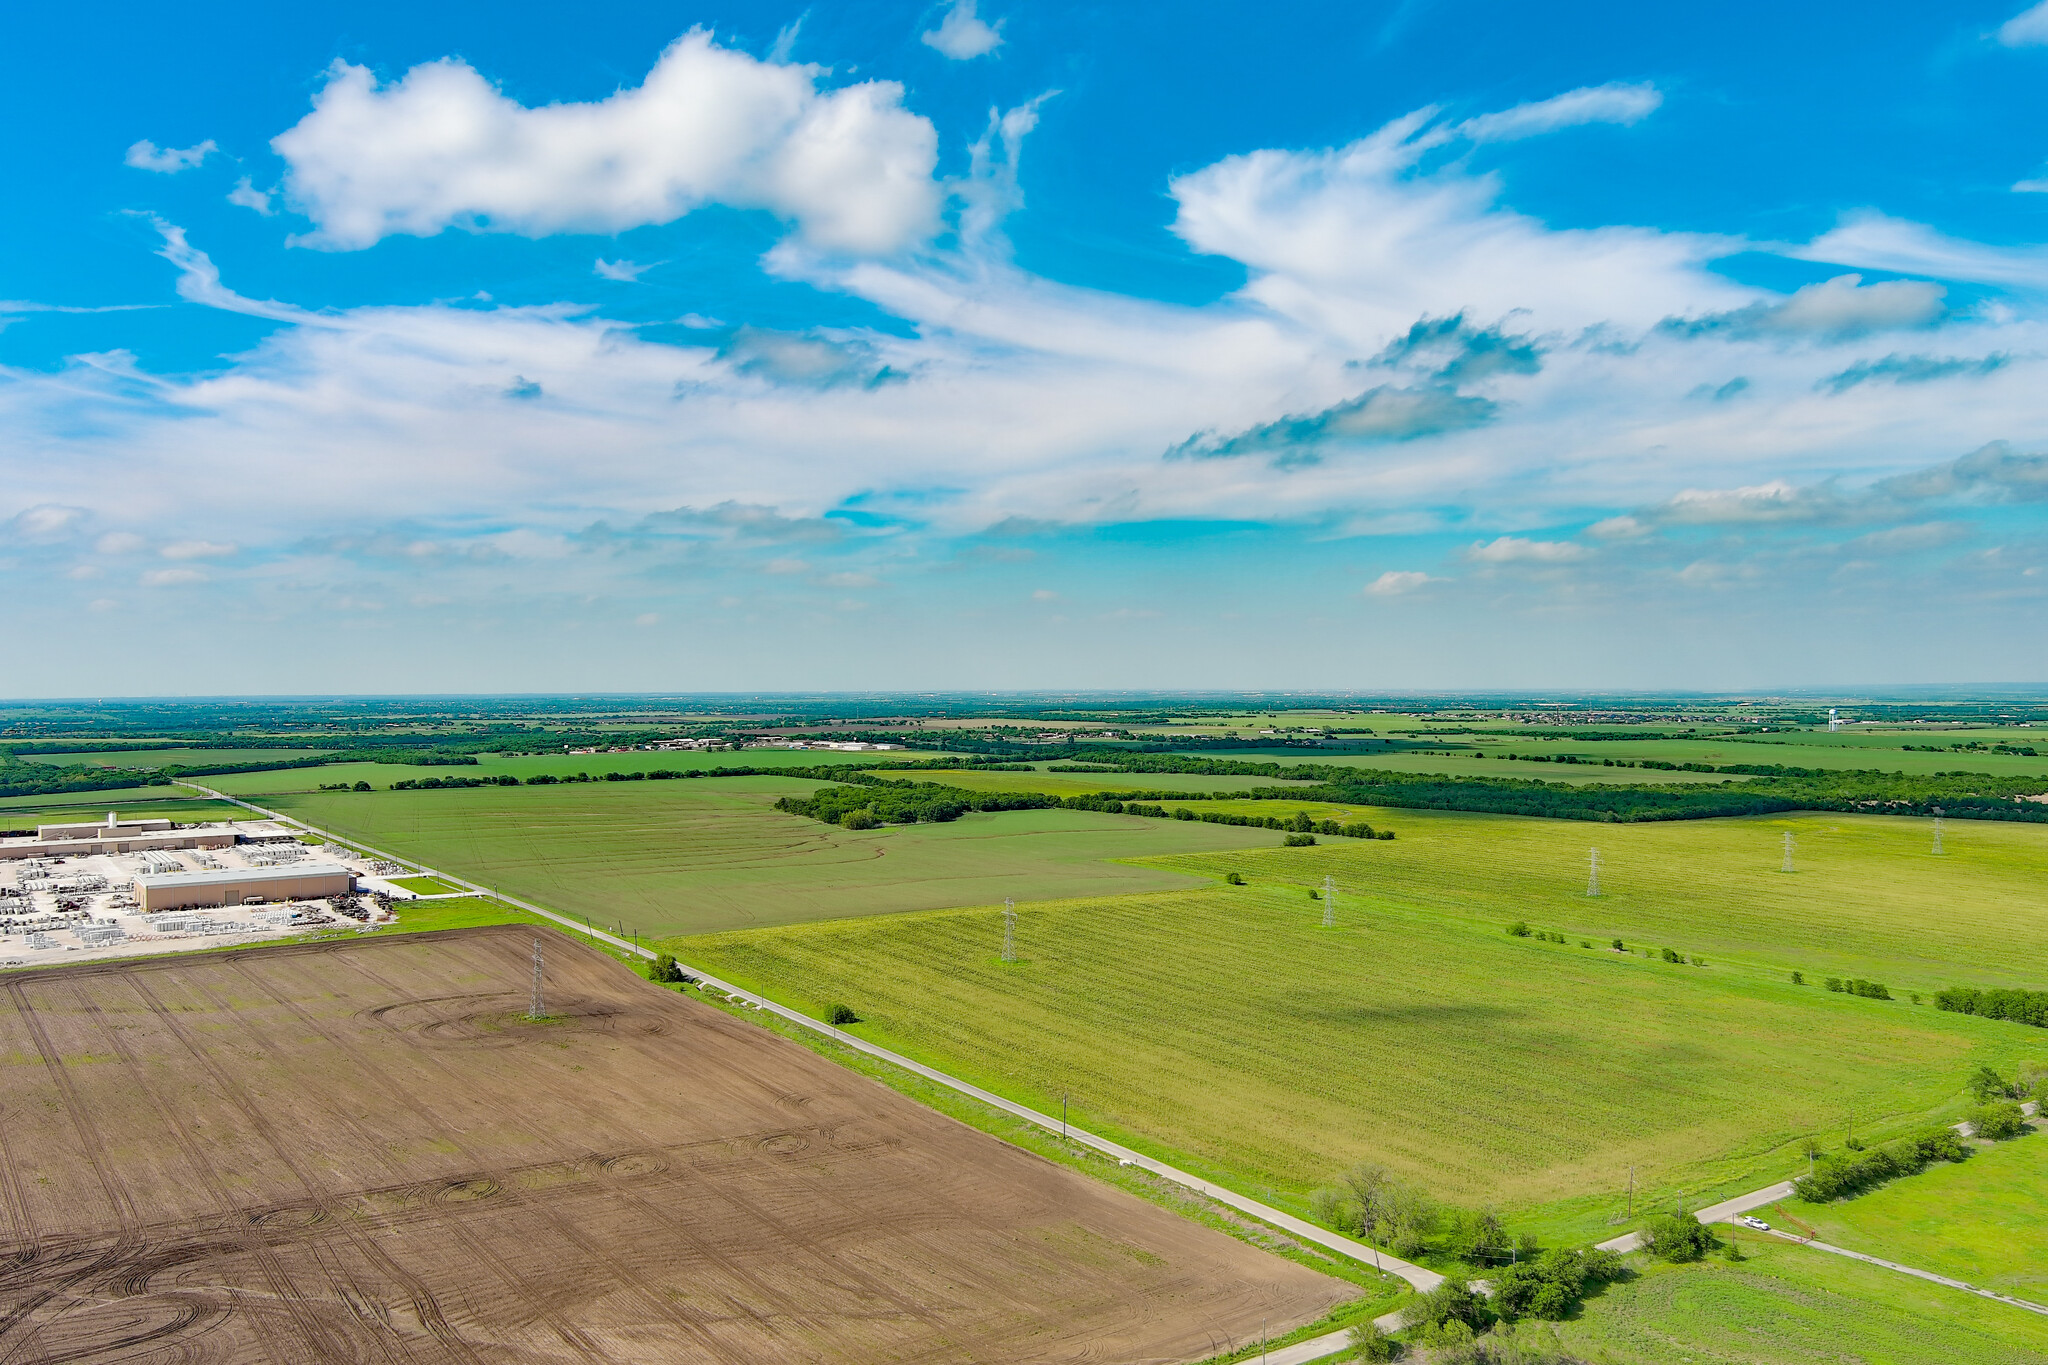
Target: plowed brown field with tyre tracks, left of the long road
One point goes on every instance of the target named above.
(366, 1153)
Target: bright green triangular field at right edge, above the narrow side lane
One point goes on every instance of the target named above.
(1983, 1223)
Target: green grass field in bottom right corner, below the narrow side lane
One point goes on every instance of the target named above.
(1795, 1307)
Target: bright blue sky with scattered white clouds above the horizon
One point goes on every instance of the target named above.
(890, 345)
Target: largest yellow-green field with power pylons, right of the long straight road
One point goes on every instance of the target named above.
(1226, 1026)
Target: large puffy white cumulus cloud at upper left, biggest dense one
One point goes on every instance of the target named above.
(443, 148)
